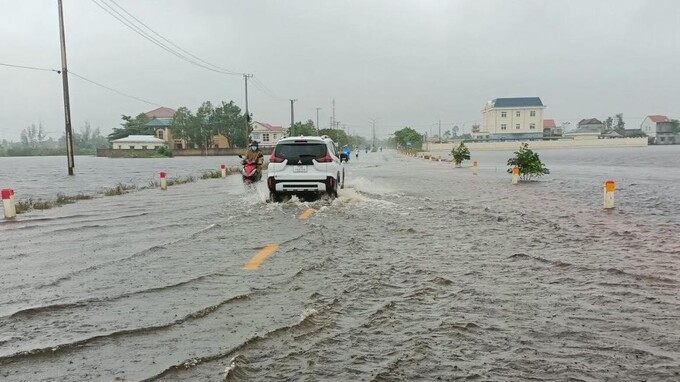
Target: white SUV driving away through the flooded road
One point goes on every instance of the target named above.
(304, 166)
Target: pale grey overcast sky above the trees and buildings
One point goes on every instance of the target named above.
(402, 63)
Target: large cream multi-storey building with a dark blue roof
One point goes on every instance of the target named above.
(513, 118)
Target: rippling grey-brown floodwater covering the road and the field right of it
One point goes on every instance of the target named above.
(418, 271)
